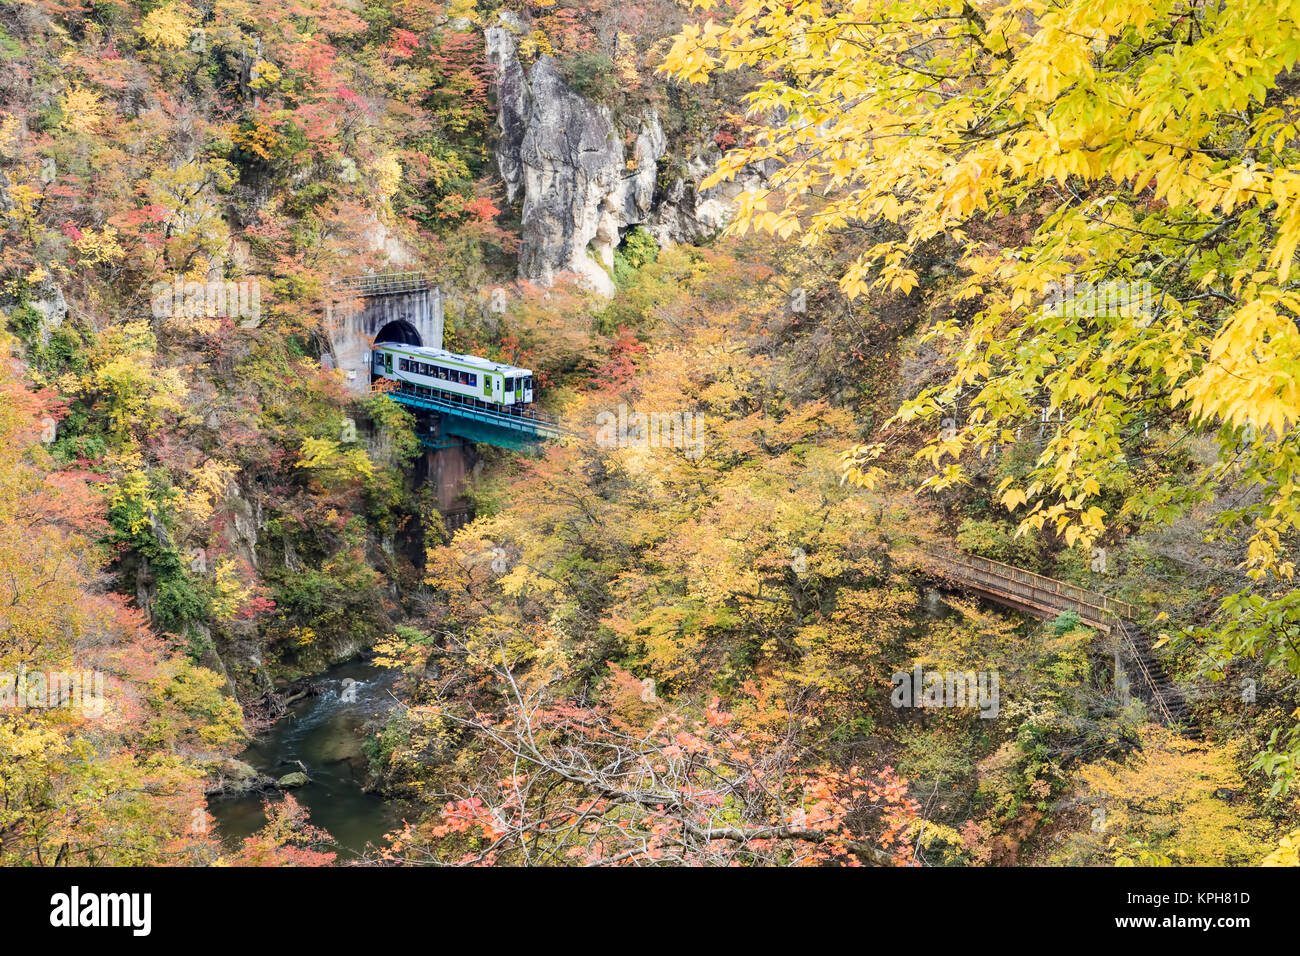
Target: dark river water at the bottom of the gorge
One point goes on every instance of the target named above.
(326, 734)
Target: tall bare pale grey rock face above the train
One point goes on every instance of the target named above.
(580, 187)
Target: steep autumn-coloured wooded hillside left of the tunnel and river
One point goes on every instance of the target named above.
(176, 146)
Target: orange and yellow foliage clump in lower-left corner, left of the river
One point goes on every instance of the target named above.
(111, 778)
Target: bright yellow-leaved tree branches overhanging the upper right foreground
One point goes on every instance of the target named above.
(1151, 148)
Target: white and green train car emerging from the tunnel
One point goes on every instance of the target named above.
(428, 373)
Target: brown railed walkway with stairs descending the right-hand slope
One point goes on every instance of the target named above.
(1047, 598)
